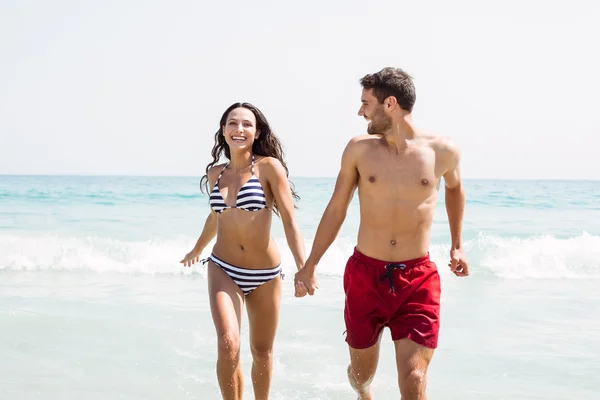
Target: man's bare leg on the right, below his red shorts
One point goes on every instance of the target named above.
(412, 361)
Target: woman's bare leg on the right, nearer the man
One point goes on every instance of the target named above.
(263, 315)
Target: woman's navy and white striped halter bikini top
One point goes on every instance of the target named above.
(251, 196)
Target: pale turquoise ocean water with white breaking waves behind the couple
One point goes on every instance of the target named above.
(94, 304)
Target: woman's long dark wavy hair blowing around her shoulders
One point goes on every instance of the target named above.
(267, 145)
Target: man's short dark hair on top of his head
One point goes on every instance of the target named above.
(392, 82)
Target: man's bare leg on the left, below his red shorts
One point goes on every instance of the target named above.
(361, 371)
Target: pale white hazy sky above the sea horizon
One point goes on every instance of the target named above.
(138, 88)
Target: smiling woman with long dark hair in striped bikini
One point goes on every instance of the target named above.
(244, 267)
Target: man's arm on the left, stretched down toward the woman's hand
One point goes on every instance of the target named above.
(335, 213)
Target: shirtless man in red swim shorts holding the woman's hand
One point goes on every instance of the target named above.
(390, 280)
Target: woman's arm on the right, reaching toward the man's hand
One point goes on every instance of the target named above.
(282, 193)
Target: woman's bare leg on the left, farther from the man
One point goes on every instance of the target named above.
(226, 304)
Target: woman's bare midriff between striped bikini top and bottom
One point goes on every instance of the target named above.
(244, 240)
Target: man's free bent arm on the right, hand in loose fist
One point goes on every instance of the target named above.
(455, 205)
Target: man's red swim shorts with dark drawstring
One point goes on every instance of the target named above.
(404, 296)
